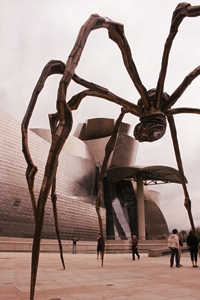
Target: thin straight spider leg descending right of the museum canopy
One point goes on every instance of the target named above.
(187, 201)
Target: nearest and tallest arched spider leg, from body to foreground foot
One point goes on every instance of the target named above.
(64, 126)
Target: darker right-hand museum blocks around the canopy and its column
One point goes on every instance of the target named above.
(120, 199)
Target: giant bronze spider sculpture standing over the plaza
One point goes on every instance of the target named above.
(153, 110)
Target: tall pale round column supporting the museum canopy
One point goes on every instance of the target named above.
(140, 208)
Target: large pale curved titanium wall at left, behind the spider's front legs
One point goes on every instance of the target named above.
(75, 186)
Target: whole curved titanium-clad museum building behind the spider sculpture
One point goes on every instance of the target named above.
(79, 163)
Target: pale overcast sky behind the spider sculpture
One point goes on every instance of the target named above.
(32, 32)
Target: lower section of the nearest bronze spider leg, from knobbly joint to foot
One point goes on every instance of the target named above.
(62, 131)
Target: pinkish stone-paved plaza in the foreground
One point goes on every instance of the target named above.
(84, 278)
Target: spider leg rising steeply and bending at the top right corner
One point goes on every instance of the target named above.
(181, 11)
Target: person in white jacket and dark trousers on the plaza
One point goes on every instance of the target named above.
(173, 244)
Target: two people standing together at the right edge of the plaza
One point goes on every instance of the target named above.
(175, 244)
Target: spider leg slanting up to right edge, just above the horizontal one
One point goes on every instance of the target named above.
(180, 89)
